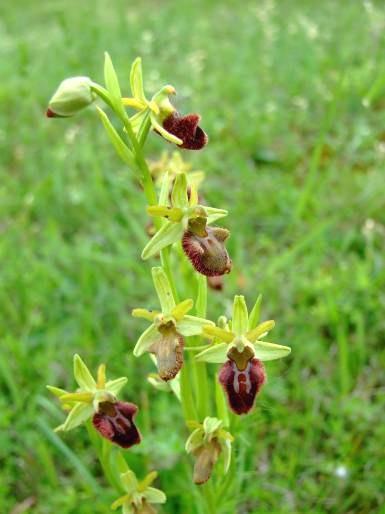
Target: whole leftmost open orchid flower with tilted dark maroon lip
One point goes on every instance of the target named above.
(97, 399)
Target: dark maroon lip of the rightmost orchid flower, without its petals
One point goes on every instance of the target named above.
(242, 386)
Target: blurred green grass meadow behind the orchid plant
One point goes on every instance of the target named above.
(298, 160)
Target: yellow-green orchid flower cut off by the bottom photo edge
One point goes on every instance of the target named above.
(140, 496)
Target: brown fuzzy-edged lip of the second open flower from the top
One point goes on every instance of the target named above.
(208, 253)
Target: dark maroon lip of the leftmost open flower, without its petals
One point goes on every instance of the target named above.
(114, 421)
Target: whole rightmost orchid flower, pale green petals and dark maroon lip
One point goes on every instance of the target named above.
(242, 351)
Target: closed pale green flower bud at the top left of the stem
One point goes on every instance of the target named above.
(72, 95)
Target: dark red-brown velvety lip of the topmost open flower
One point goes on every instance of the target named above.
(187, 129)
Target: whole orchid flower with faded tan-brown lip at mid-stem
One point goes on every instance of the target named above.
(165, 336)
